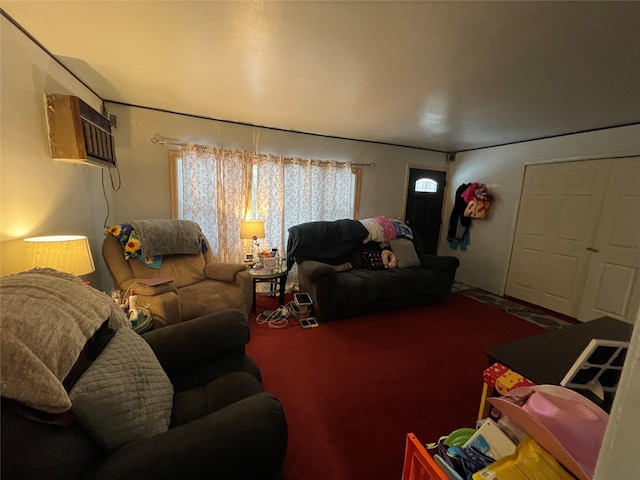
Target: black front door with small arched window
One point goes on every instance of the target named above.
(423, 207)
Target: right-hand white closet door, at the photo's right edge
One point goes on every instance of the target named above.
(612, 285)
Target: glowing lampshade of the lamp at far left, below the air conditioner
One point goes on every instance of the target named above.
(66, 253)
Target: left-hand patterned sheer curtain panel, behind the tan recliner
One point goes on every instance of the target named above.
(216, 194)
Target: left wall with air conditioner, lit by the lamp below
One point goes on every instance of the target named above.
(40, 196)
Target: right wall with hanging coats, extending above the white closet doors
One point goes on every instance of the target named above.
(485, 264)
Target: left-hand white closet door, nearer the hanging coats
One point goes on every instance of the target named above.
(557, 222)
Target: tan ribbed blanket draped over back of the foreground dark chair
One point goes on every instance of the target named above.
(47, 318)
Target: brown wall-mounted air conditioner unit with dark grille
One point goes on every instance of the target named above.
(78, 133)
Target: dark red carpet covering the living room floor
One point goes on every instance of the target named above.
(352, 389)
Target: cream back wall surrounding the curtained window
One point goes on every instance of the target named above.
(144, 165)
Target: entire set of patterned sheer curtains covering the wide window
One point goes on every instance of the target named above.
(219, 191)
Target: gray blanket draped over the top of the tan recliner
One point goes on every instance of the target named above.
(168, 237)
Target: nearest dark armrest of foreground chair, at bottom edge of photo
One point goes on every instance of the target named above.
(246, 440)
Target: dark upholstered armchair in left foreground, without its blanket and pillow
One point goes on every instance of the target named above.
(223, 425)
